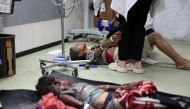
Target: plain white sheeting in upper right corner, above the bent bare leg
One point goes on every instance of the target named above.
(172, 18)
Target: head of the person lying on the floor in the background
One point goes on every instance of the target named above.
(78, 52)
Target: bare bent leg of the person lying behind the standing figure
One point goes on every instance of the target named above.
(156, 39)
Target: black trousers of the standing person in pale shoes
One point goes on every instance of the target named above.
(132, 41)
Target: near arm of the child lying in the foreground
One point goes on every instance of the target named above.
(71, 101)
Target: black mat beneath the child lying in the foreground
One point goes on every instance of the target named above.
(28, 99)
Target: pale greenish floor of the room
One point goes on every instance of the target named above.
(166, 77)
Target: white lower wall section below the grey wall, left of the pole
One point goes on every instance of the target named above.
(33, 35)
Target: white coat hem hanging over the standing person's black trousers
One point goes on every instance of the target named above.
(122, 6)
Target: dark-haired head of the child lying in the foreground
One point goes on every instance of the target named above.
(51, 84)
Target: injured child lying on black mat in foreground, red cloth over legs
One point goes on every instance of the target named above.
(135, 95)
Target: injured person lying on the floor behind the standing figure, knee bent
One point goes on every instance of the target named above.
(107, 51)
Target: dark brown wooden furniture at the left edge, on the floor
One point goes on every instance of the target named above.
(7, 55)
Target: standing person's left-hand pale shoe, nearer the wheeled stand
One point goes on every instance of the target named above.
(115, 67)
